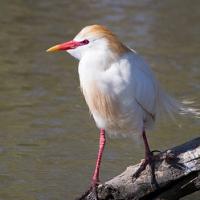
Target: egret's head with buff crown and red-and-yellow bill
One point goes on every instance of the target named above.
(91, 38)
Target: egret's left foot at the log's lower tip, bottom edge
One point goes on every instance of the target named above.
(91, 193)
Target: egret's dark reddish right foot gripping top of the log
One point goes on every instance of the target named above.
(149, 160)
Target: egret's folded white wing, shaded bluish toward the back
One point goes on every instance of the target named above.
(131, 81)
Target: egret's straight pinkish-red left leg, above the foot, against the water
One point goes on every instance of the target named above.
(102, 141)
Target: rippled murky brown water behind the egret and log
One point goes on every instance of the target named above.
(48, 142)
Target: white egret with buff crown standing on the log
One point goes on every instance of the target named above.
(120, 89)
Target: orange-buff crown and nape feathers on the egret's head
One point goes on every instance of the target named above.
(101, 31)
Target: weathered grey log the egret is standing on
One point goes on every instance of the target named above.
(177, 172)
